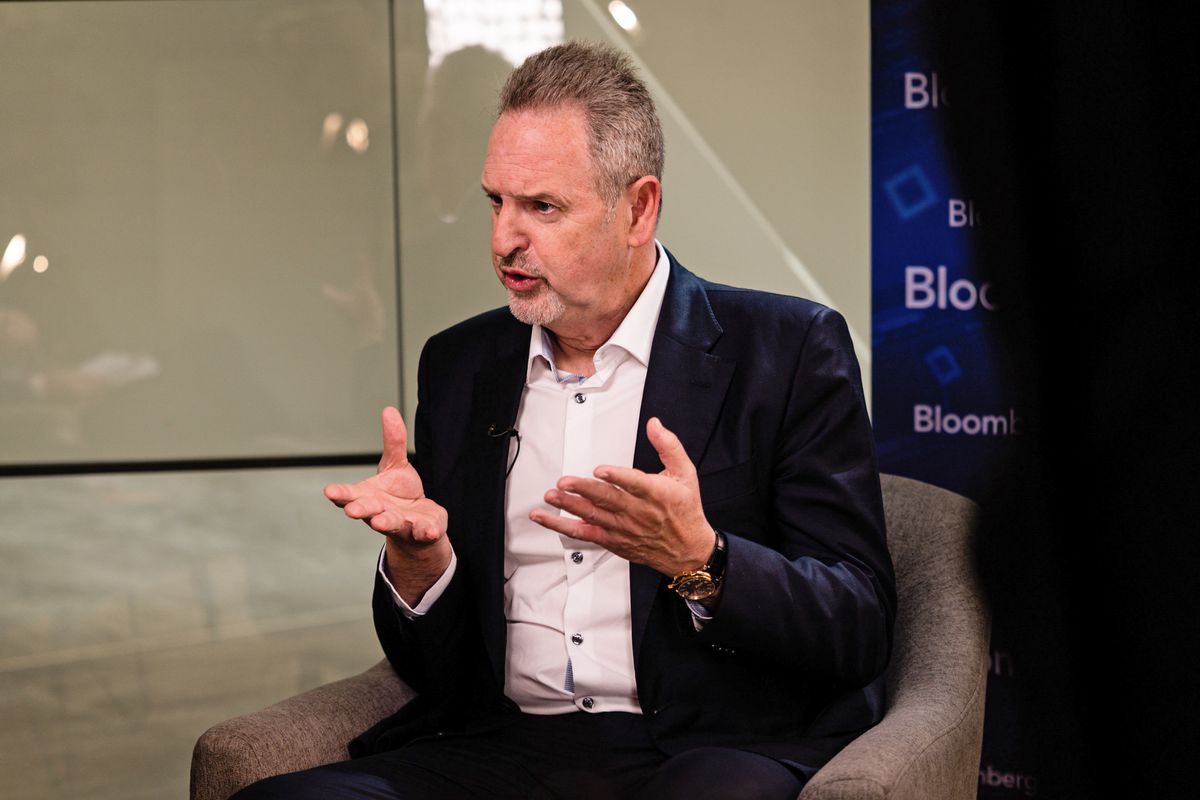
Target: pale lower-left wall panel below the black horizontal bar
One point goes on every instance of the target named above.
(136, 611)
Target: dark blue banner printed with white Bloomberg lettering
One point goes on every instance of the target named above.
(943, 410)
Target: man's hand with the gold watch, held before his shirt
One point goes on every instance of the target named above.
(652, 520)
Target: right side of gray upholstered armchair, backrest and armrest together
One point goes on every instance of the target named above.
(927, 747)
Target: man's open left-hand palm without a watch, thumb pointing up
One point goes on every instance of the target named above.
(393, 502)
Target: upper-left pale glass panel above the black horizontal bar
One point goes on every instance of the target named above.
(199, 228)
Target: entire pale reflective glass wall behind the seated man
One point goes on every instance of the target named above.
(226, 230)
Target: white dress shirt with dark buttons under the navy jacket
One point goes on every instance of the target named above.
(567, 601)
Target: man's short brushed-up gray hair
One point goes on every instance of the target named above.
(625, 135)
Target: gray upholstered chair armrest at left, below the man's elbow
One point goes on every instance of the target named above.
(302, 732)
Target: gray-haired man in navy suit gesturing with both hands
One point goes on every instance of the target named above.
(645, 554)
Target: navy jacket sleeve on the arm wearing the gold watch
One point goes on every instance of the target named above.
(812, 587)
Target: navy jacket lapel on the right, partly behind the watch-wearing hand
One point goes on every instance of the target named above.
(686, 387)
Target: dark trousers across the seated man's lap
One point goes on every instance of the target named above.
(577, 756)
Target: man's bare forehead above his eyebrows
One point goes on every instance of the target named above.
(538, 151)
